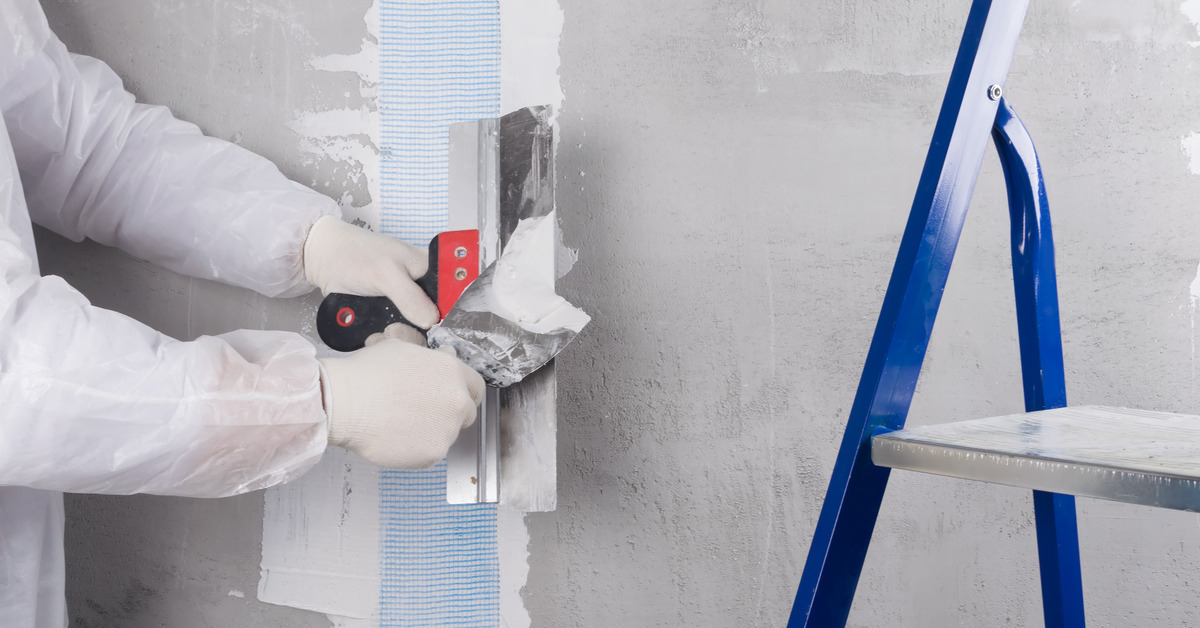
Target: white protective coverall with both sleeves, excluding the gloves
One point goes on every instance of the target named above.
(92, 400)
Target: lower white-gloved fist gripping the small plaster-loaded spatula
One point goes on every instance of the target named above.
(400, 405)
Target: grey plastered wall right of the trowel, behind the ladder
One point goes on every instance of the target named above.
(737, 176)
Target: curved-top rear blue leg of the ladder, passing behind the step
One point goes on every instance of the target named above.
(1042, 367)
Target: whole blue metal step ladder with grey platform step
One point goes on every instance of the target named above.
(1147, 458)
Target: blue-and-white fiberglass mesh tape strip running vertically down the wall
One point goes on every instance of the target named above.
(440, 64)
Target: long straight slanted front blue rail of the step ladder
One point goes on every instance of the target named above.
(910, 307)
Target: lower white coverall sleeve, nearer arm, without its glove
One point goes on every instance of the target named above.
(94, 402)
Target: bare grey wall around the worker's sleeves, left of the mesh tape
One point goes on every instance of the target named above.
(237, 70)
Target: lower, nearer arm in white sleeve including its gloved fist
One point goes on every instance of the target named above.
(94, 402)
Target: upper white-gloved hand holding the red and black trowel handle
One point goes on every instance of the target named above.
(341, 258)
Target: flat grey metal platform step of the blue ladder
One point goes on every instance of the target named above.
(1120, 454)
